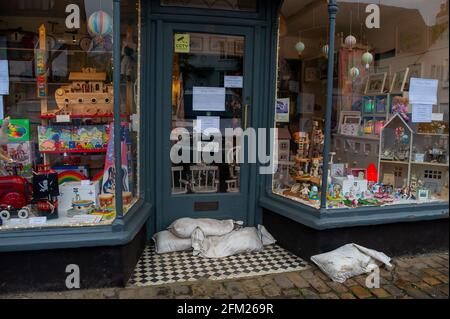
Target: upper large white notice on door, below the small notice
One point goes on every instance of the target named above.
(208, 99)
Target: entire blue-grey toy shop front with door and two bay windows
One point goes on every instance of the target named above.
(115, 117)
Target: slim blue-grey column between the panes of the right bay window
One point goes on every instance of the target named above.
(332, 11)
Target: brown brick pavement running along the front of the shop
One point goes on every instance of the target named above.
(419, 277)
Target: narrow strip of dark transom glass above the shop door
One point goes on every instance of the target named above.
(234, 5)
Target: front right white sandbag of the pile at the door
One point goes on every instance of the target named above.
(243, 240)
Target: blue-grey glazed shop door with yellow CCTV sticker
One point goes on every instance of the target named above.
(207, 84)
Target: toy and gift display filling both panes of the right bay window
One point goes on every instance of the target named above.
(389, 142)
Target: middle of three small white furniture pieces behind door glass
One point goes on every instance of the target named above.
(204, 179)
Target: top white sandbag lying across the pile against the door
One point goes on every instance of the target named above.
(184, 227)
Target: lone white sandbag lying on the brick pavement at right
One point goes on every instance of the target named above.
(348, 261)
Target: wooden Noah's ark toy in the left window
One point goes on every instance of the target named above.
(88, 94)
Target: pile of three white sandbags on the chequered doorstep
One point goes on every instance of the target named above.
(211, 238)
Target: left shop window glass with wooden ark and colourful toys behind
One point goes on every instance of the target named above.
(56, 112)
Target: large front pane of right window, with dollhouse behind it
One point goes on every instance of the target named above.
(380, 76)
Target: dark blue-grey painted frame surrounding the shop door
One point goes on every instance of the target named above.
(260, 114)
